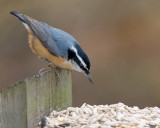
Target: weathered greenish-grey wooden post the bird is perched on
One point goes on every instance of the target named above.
(23, 104)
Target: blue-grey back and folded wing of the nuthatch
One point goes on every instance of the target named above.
(55, 40)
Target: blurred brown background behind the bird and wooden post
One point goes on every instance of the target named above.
(121, 38)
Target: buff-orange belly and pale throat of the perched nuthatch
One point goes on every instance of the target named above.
(37, 47)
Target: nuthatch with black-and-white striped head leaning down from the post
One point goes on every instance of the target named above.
(55, 45)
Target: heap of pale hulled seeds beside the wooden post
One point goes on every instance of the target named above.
(104, 116)
